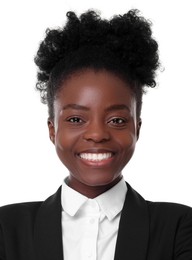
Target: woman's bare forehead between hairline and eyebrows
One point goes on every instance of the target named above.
(94, 88)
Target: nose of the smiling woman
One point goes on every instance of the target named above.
(97, 132)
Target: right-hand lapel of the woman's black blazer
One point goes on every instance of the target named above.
(133, 235)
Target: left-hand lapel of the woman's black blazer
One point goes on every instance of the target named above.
(48, 233)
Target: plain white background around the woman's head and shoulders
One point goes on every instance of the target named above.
(161, 168)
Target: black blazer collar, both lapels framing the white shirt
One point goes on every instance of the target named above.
(132, 239)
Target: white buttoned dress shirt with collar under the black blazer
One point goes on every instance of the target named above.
(90, 226)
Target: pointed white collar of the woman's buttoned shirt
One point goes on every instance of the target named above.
(110, 202)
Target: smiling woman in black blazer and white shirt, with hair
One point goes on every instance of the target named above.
(92, 75)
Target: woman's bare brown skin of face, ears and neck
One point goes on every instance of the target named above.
(94, 130)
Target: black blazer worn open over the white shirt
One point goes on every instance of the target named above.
(147, 230)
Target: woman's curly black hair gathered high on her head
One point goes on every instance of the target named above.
(122, 45)
